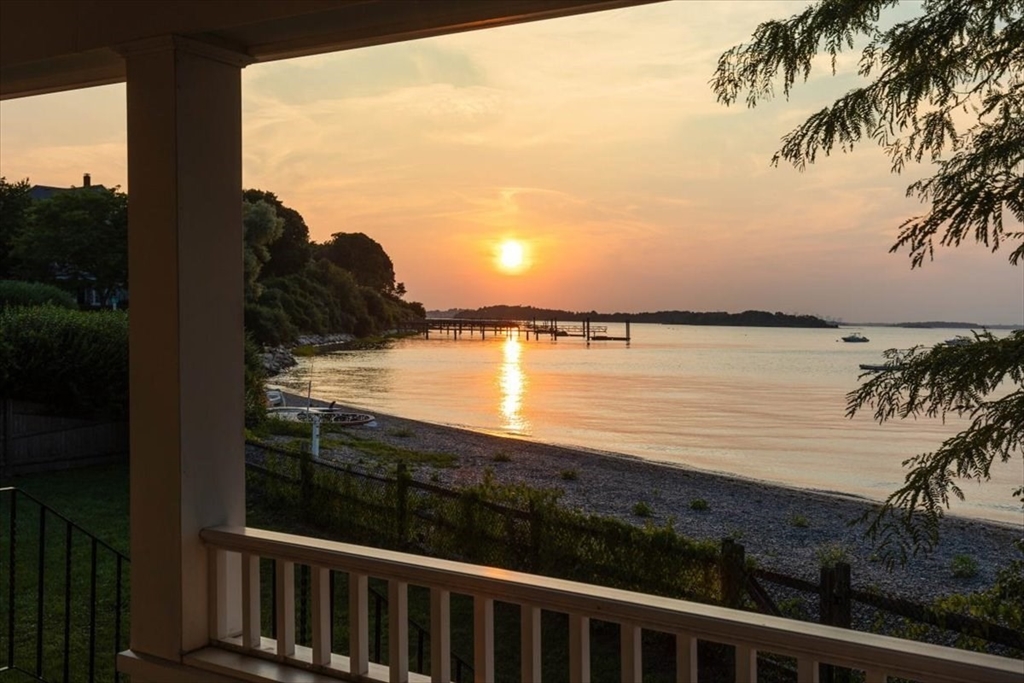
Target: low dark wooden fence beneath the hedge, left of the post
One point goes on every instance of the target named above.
(32, 441)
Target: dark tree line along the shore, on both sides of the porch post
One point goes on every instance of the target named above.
(77, 240)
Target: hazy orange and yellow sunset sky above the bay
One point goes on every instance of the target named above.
(596, 144)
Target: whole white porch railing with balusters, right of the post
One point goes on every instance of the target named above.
(812, 645)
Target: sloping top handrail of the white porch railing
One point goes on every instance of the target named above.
(809, 644)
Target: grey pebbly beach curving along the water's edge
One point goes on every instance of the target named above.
(769, 520)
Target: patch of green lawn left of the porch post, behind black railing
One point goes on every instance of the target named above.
(97, 500)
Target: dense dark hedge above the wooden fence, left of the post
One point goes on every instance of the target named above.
(72, 361)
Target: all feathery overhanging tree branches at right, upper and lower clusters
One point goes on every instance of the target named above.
(945, 88)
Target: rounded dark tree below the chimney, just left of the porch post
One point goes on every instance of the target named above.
(77, 240)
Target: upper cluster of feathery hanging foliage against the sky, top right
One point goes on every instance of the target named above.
(946, 88)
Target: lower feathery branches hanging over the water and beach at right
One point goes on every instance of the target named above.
(985, 381)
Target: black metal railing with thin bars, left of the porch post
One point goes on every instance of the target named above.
(66, 597)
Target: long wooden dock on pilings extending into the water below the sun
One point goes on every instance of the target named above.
(457, 328)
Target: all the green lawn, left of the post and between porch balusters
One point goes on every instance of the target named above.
(97, 499)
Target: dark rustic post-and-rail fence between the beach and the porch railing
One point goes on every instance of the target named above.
(739, 585)
